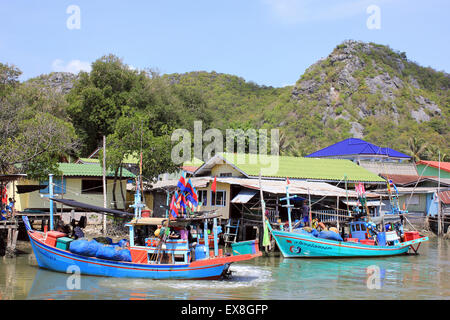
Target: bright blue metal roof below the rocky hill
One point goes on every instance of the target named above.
(353, 146)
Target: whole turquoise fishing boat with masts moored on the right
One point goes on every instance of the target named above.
(364, 240)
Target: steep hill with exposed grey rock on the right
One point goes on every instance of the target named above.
(369, 91)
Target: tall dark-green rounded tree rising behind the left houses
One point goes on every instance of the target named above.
(99, 98)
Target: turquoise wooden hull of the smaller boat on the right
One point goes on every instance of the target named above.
(295, 245)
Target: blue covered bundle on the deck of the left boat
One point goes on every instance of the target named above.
(92, 248)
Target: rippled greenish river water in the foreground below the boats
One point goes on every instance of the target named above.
(425, 276)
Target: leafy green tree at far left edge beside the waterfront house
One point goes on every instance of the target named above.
(31, 140)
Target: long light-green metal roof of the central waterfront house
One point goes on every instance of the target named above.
(302, 168)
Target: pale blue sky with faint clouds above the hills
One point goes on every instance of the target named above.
(270, 42)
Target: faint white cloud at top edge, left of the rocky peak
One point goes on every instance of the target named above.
(300, 11)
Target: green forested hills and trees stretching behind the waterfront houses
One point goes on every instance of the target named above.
(362, 90)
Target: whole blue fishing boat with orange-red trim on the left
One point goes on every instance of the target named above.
(160, 257)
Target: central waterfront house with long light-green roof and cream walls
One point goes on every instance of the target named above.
(237, 196)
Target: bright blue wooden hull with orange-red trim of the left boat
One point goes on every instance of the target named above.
(56, 259)
